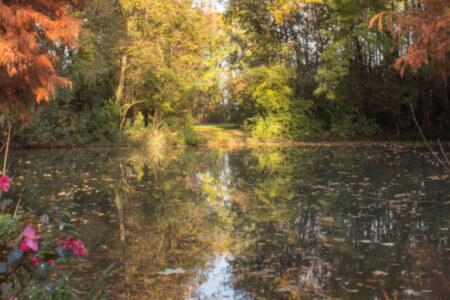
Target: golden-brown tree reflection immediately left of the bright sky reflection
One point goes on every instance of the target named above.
(167, 226)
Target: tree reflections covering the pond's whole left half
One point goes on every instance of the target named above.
(147, 213)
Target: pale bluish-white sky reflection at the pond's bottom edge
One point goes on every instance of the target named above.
(216, 287)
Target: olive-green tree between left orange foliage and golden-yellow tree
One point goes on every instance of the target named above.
(93, 68)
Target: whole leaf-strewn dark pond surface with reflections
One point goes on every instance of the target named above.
(270, 223)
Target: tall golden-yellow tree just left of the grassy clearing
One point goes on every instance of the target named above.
(164, 58)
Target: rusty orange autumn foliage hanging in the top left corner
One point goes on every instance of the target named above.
(30, 31)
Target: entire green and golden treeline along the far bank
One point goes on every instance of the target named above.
(282, 68)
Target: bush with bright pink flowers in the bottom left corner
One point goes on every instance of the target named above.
(28, 271)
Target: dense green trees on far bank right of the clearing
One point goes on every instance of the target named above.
(307, 67)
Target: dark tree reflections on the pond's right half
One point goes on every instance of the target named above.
(325, 241)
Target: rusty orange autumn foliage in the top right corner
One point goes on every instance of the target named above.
(422, 33)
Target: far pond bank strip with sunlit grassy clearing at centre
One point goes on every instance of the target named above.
(229, 136)
